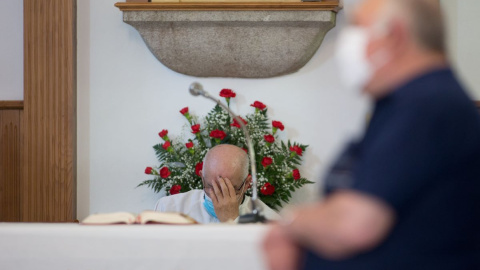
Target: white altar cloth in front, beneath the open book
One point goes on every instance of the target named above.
(77, 247)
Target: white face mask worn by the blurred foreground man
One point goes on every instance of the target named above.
(351, 56)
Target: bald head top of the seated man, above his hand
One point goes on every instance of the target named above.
(228, 161)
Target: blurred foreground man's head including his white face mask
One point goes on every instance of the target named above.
(398, 39)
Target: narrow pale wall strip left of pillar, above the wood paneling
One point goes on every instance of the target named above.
(11, 50)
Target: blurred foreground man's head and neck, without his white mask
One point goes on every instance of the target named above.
(405, 39)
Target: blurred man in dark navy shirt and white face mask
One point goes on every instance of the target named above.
(406, 196)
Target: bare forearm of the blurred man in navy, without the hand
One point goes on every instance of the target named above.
(341, 226)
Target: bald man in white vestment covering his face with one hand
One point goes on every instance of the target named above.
(225, 180)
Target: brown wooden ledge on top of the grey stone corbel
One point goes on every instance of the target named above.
(202, 6)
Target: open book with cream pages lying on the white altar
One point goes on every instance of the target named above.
(146, 217)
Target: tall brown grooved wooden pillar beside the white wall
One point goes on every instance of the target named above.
(48, 185)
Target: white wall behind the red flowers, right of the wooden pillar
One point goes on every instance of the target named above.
(128, 96)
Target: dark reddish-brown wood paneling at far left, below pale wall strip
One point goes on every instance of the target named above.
(10, 150)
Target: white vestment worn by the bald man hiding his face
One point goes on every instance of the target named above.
(191, 203)
